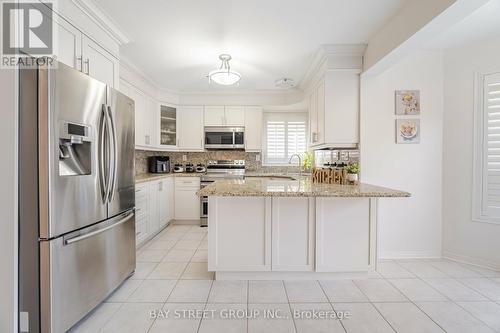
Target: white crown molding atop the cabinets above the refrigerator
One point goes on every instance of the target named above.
(98, 15)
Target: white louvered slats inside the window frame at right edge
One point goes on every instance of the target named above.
(490, 203)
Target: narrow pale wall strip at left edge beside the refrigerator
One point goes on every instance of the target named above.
(8, 202)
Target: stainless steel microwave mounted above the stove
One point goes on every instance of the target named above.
(224, 137)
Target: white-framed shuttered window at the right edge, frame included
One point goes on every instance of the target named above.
(486, 197)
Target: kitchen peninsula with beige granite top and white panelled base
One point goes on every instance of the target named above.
(277, 227)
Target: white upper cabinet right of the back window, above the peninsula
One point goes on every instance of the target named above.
(334, 111)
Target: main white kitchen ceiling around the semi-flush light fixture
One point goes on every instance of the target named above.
(177, 42)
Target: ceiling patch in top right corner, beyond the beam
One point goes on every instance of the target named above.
(482, 24)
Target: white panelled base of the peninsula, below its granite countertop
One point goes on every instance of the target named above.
(330, 235)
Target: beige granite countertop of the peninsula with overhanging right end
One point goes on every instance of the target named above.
(294, 187)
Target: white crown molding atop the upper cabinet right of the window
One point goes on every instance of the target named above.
(339, 57)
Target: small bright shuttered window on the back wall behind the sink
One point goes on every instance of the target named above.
(285, 134)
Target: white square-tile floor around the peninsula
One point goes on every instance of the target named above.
(171, 278)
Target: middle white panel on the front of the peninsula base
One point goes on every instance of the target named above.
(293, 234)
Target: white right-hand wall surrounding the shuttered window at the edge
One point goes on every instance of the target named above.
(463, 239)
